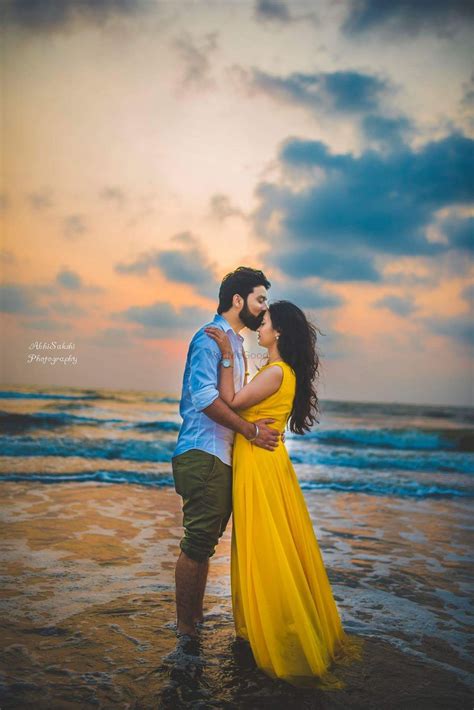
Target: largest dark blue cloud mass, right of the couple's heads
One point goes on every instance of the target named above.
(357, 208)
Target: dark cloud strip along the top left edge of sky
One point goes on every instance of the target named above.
(56, 15)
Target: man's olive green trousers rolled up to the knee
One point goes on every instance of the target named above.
(205, 484)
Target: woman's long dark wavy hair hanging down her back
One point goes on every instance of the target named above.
(297, 346)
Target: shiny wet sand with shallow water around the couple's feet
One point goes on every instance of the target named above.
(88, 610)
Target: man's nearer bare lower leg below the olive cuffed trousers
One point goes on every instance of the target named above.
(188, 575)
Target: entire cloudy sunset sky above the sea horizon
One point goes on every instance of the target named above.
(152, 147)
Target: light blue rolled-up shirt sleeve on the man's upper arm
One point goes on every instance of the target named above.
(204, 363)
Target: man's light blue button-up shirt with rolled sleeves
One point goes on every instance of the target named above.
(200, 389)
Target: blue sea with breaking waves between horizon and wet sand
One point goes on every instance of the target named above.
(408, 450)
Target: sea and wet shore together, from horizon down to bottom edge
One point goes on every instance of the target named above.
(90, 530)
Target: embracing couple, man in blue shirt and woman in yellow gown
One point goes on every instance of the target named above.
(231, 458)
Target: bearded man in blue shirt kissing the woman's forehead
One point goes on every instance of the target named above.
(202, 461)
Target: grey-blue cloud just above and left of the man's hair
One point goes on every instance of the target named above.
(187, 264)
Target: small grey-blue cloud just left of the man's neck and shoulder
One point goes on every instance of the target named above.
(161, 320)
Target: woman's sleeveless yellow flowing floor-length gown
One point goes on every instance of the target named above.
(281, 596)
